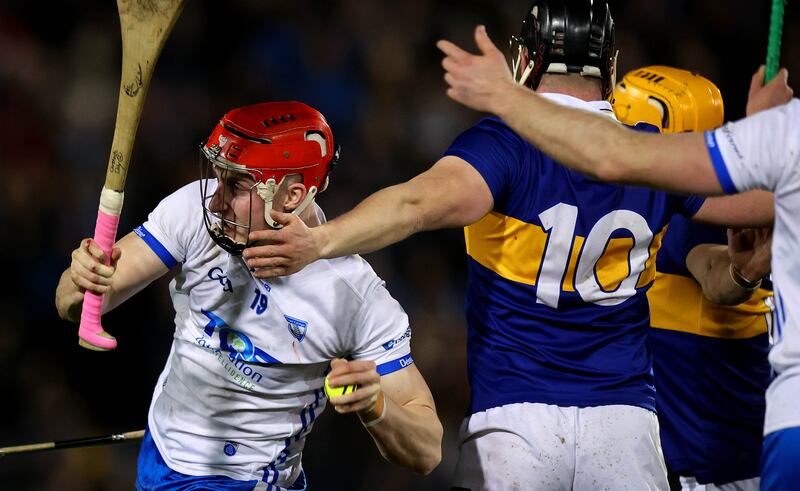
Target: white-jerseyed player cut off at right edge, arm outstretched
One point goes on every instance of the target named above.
(761, 151)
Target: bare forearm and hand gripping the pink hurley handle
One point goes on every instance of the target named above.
(133, 266)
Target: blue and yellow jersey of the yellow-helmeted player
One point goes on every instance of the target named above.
(710, 365)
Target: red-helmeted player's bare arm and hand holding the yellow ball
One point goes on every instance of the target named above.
(397, 410)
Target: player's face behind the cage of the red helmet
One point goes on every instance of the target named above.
(237, 202)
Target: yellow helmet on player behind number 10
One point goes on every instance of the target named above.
(672, 99)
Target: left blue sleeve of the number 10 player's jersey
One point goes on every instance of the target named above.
(494, 150)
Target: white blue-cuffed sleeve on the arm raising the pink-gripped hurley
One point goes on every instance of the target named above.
(171, 227)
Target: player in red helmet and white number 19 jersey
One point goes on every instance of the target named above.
(243, 384)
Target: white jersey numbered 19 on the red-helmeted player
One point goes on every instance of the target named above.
(244, 380)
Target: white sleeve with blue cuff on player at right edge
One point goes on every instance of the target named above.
(758, 152)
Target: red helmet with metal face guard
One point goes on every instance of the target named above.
(252, 149)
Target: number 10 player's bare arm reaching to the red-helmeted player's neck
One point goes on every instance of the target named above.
(450, 194)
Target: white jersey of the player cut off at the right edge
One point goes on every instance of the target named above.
(763, 152)
